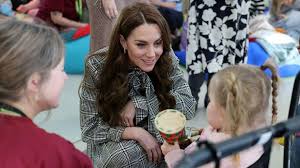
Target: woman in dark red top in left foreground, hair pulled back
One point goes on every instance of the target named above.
(31, 80)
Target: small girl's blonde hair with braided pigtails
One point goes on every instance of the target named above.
(244, 92)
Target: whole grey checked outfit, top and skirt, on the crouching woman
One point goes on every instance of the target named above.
(105, 145)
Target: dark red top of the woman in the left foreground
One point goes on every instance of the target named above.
(23, 144)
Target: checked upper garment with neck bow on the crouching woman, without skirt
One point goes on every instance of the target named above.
(96, 132)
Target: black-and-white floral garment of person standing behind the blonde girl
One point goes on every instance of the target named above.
(217, 35)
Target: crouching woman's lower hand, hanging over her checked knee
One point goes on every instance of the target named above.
(149, 144)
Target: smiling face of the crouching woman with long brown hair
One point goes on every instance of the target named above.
(144, 46)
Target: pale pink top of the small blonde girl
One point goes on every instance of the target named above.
(247, 157)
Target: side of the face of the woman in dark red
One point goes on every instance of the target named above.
(52, 87)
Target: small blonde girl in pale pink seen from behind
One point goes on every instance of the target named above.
(239, 101)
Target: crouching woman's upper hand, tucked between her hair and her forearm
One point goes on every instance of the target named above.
(128, 114)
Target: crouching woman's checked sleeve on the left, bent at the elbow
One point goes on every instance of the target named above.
(94, 129)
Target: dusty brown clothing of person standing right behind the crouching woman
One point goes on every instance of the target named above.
(101, 25)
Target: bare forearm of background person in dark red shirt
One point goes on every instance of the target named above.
(58, 19)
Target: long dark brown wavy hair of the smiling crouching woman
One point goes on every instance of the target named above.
(113, 80)
